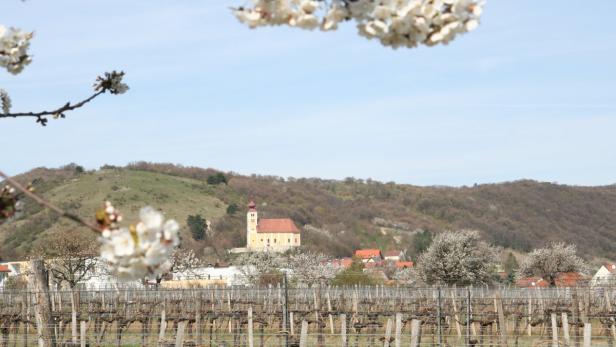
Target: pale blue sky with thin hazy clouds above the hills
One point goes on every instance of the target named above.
(530, 94)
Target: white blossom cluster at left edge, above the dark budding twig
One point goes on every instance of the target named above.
(14, 44)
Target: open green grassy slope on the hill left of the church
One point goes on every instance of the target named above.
(129, 190)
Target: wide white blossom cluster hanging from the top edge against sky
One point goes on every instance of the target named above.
(395, 23)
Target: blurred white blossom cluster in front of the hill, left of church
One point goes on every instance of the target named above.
(139, 250)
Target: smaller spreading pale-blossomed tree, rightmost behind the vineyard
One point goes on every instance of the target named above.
(551, 261)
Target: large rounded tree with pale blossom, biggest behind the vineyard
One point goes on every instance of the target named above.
(458, 258)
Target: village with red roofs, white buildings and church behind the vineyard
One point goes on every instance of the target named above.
(268, 243)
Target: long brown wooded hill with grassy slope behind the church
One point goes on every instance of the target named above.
(336, 216)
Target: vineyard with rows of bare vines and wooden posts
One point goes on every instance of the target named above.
(320, 316)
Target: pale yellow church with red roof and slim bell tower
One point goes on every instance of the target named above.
(274, 235)
